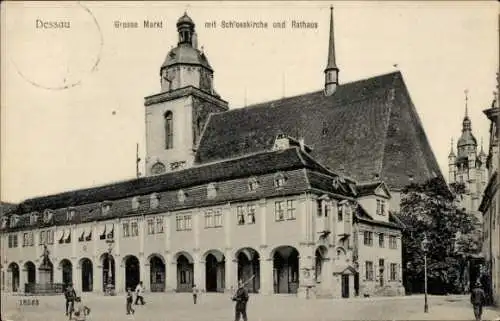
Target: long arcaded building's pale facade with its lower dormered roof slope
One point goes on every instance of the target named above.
(281, 237)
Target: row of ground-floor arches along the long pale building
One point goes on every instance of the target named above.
(280, 270)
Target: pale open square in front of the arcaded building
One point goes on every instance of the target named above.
(179, 307)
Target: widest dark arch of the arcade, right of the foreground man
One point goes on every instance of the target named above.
(286, 269)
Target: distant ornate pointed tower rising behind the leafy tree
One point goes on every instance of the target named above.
(468, 167)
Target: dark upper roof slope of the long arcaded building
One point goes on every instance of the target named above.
(250, 165)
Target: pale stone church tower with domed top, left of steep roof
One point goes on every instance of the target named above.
(175, 117)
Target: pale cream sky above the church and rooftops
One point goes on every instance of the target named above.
(72, 99)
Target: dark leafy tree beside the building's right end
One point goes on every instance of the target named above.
(432, 208)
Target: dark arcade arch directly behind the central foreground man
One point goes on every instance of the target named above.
(249, 268)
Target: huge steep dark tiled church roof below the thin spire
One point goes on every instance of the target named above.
(366, 127)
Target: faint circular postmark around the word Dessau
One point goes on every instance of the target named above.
(53, 46)
